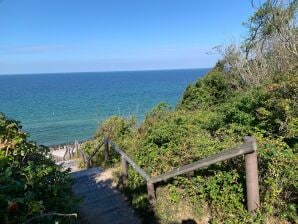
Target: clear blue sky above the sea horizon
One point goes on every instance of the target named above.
(44, 36)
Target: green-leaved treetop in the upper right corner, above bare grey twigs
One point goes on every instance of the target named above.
(274, 21)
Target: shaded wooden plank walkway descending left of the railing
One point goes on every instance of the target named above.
(101, 203)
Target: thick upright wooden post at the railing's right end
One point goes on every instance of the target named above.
(252, 180)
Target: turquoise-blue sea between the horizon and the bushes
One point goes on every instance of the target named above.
(60, 108)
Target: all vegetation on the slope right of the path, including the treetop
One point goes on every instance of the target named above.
(251, 91)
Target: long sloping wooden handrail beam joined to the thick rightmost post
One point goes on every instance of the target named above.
(221, 156)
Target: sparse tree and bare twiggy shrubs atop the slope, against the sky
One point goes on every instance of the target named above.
(270, 47)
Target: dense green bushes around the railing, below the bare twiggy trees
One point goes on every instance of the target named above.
(170, 138)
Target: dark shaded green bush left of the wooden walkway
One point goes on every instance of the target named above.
(30, 182)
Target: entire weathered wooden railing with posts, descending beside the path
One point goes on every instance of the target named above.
(248, 149)
